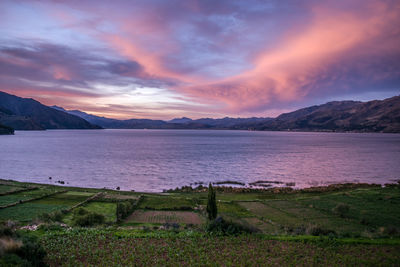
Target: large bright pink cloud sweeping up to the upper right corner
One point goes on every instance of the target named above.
(292, 69)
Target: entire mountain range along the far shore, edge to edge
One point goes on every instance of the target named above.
(341, 116)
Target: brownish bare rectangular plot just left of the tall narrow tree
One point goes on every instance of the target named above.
(186, 217)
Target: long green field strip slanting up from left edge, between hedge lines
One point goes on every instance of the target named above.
(27, 211)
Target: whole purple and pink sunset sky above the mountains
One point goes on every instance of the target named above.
(163, 59)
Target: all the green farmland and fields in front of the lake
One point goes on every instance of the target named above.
(337, 225)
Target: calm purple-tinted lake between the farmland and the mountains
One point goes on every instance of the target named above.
(153, 160)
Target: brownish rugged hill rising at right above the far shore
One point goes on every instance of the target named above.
(372, 116)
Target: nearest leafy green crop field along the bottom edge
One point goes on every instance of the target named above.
(83, 248)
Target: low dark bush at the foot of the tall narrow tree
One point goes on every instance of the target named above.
(221, 227)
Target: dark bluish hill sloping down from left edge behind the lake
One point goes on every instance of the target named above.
(28, 114)
